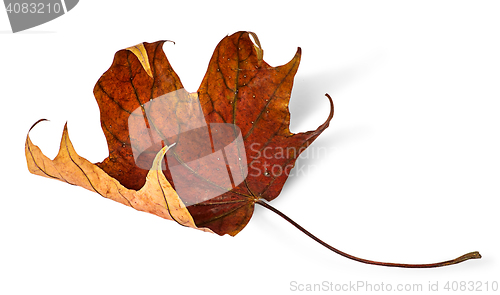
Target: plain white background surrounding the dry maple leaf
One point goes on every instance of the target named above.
(408, 171)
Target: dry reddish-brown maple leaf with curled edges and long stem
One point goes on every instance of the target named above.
(202, 159)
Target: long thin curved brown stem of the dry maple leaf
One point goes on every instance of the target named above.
(471, 255)
